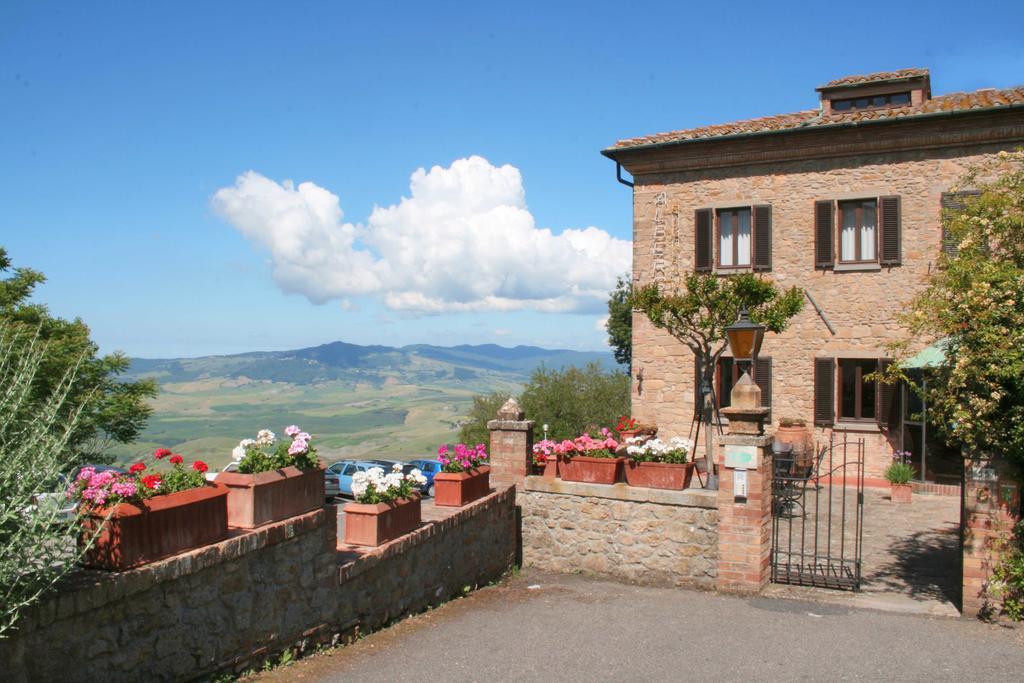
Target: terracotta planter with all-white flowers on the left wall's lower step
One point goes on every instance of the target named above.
(387, 506)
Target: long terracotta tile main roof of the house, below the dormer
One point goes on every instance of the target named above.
(957, 102)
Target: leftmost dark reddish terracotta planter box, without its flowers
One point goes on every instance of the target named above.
(155, 529)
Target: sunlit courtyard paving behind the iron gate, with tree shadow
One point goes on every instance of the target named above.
(911, 558)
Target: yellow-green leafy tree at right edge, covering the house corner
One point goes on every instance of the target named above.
(974, 302)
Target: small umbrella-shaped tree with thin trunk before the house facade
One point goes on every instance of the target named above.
(699, 310)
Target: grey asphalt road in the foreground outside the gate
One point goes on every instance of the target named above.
(578, 629)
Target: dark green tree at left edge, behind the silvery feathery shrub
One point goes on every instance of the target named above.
(117, 411)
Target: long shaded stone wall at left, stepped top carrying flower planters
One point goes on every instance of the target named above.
(231, 606)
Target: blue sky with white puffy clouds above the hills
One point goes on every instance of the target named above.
(120, 122)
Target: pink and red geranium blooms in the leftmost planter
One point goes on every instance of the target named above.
(110, 488)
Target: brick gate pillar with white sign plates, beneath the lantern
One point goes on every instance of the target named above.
(745, 524)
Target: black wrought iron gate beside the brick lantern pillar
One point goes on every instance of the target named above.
(818, 517)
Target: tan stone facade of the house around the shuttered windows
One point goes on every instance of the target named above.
(863, 307)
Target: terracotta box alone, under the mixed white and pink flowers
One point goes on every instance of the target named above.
(254, 500)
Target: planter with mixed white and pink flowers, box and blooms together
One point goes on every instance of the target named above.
(275, 480)
